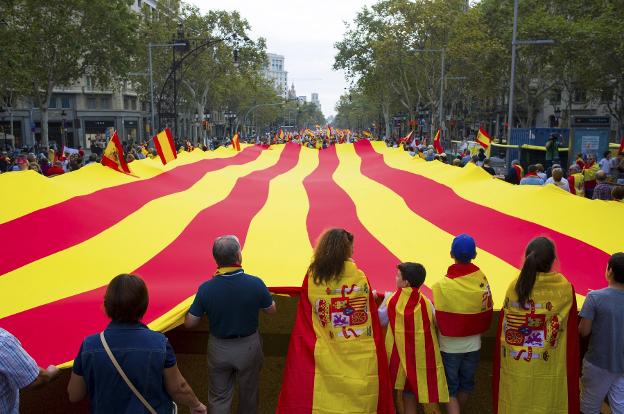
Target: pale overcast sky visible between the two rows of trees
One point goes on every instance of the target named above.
(304, 31)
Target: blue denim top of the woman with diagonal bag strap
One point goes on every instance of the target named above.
(143, 355)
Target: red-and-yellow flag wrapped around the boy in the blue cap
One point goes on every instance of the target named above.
(463, 301)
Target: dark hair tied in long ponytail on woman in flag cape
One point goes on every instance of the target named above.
(539, 257)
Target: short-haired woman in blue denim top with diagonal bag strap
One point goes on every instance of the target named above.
(145, 356)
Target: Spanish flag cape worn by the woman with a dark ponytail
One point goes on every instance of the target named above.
(536, 360)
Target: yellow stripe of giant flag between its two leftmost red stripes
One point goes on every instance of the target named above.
(137, 238)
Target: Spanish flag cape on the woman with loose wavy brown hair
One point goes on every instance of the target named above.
(336, 359)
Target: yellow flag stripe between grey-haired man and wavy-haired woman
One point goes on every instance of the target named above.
(283, 214)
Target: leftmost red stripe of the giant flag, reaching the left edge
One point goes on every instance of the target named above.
(90, 214)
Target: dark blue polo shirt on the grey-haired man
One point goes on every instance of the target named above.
(232, 301)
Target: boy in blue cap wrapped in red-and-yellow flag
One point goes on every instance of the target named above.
(464, 310)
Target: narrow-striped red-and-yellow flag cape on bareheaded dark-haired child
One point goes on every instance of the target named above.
(413, 350)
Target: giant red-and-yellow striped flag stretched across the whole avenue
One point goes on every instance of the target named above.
(67, 237)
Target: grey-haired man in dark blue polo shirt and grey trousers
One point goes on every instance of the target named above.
(231, 300)
